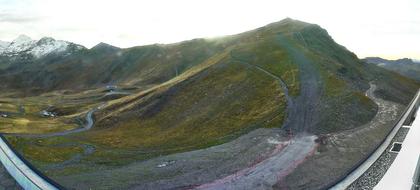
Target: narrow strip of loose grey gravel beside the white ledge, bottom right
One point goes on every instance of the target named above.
(375, 173)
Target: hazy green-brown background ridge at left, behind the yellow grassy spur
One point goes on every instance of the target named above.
(141, 66)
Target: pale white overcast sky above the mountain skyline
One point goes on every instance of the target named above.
(386, 28)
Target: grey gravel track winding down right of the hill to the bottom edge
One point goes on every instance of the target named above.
(339, 152)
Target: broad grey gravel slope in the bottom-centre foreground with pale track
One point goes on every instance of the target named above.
(259, 159)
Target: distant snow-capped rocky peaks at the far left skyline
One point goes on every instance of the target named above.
(25, 45)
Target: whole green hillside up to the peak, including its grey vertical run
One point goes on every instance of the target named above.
(200, 93)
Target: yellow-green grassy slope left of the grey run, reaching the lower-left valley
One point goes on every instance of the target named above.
(207, 108)
